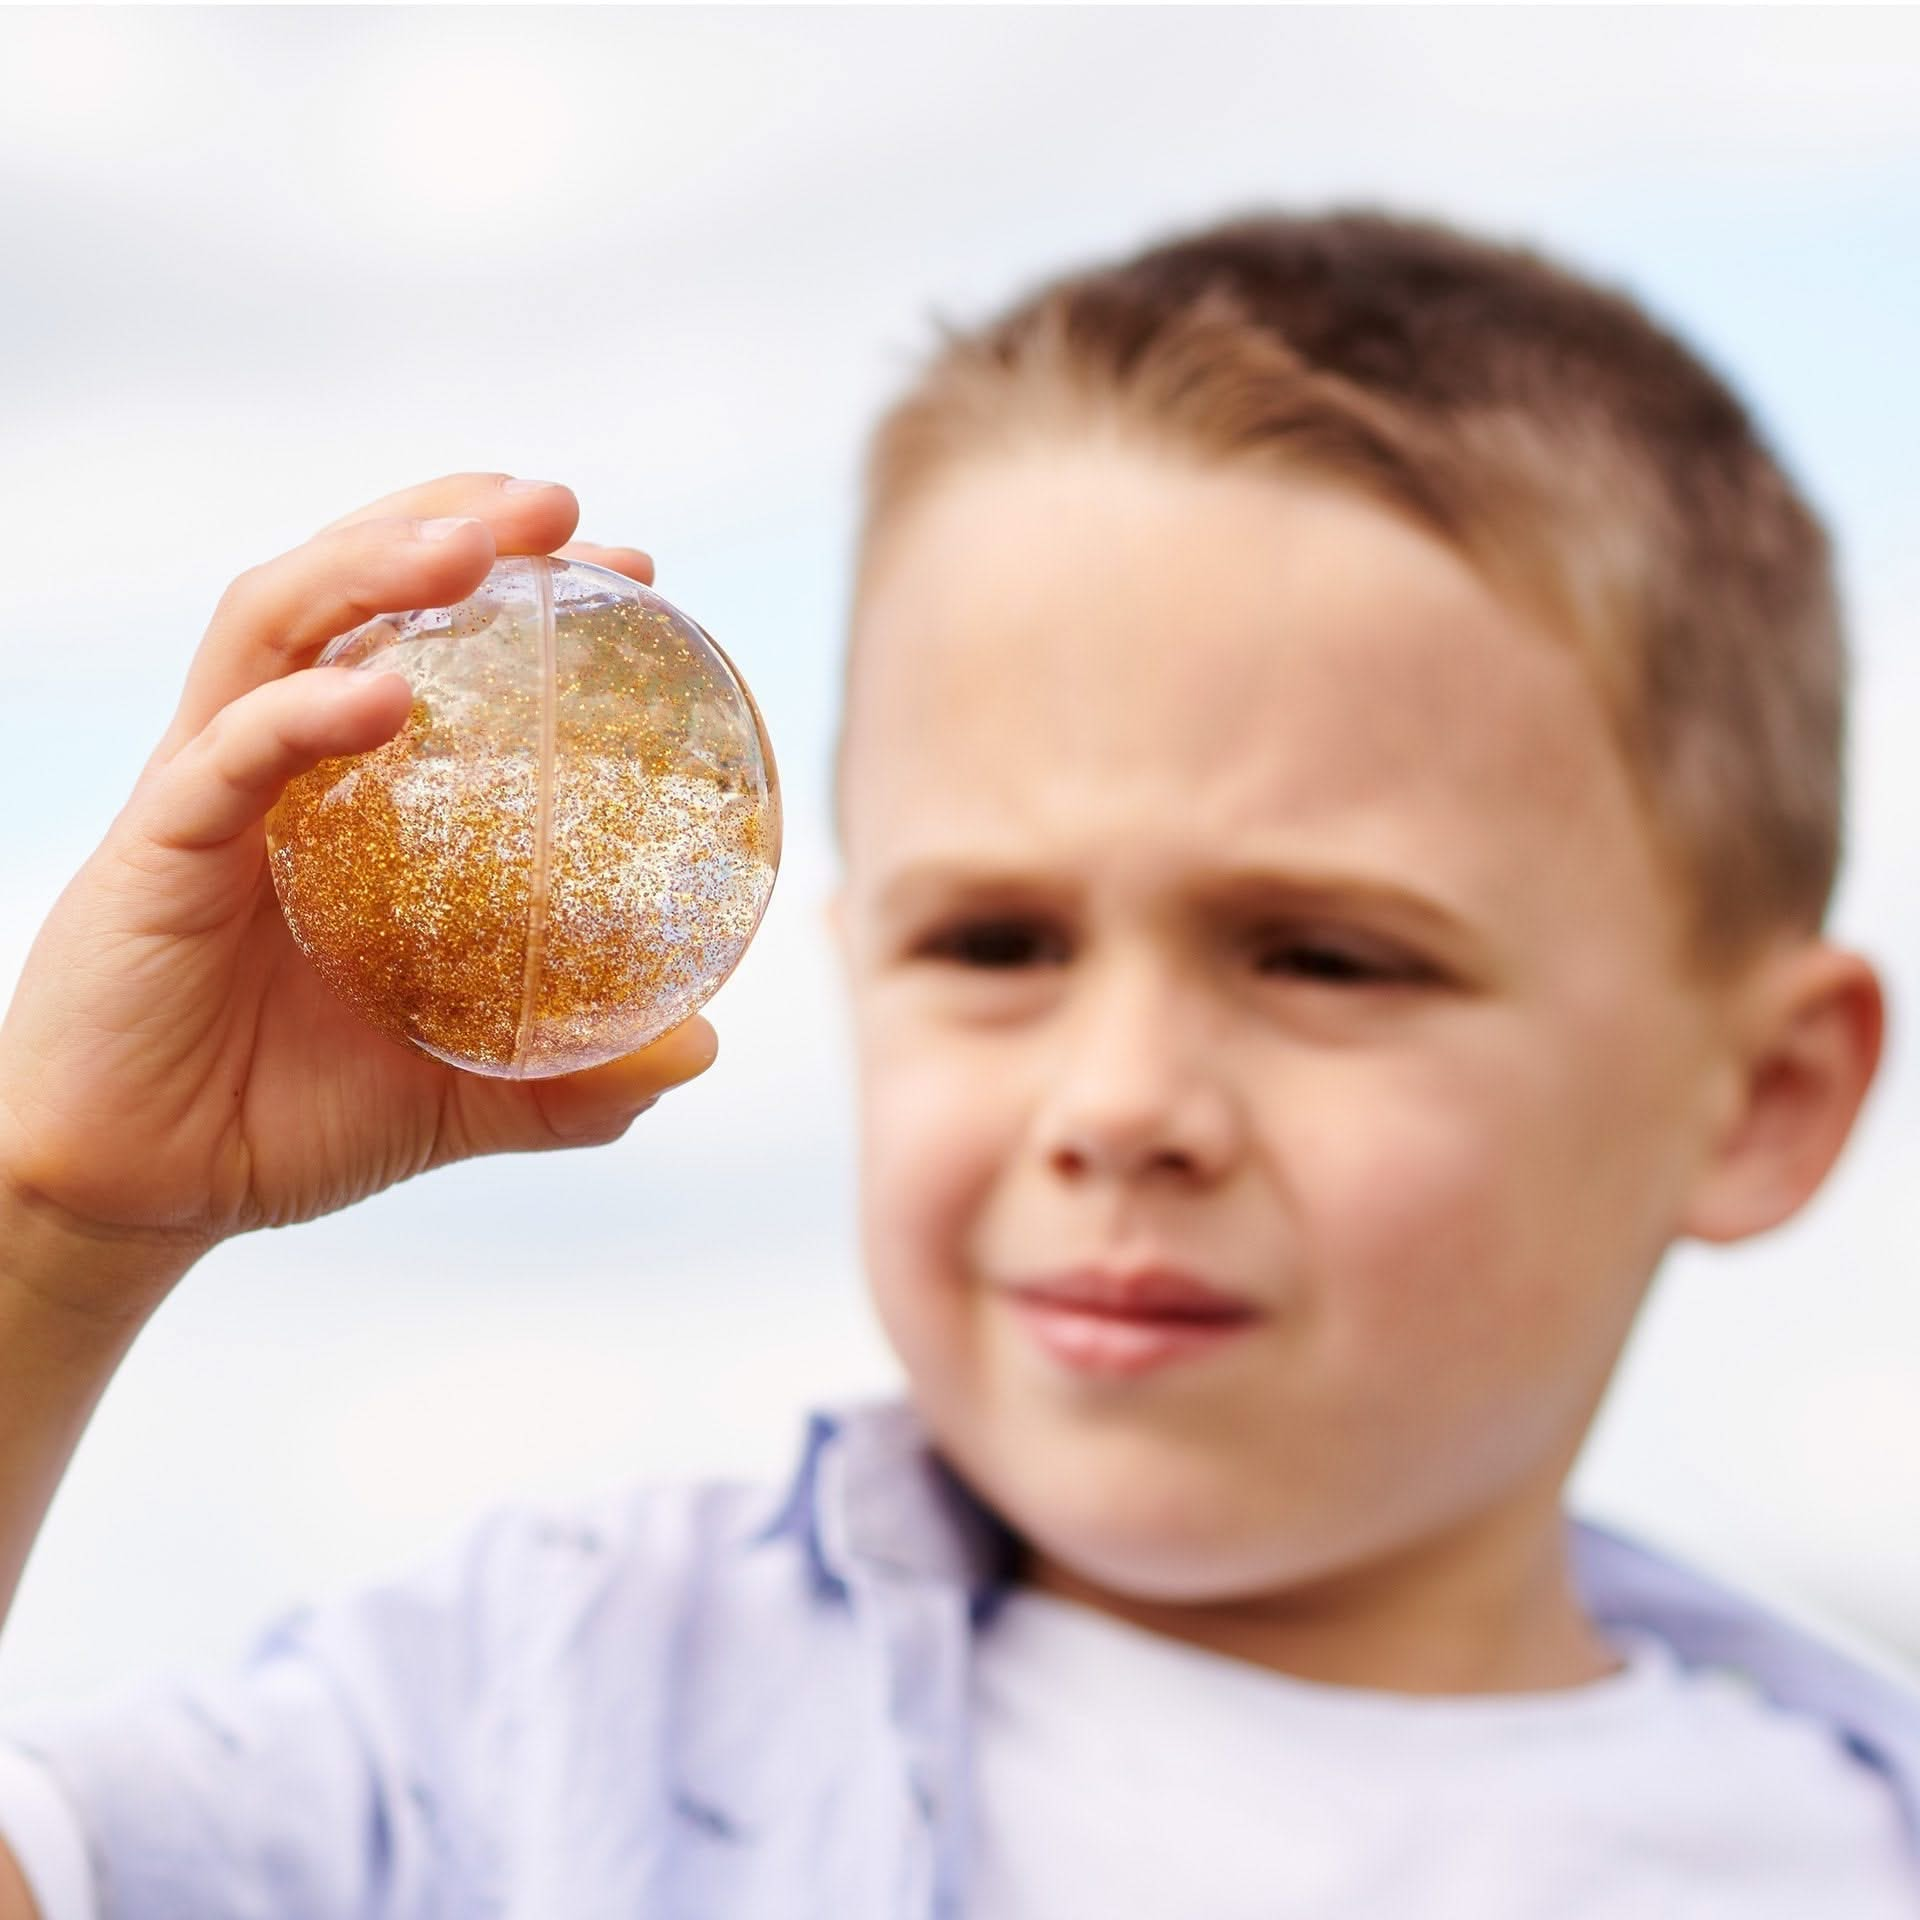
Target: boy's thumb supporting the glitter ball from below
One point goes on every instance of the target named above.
(588, 1109)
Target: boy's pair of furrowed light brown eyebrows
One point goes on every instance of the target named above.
(1243, 888)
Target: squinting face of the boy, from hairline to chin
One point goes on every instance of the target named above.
(1236, 886)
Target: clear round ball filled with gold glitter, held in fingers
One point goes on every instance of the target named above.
(564, 852)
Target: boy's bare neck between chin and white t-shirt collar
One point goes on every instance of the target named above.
(1489, 1608)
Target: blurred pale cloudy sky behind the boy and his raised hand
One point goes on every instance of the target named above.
(268, 264)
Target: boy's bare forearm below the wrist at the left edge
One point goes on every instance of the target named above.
(57, 1356)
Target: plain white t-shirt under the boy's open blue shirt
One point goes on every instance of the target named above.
(1124, 1775)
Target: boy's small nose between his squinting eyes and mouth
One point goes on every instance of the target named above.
(1141, 1088)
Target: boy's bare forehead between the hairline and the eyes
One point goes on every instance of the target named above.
(1118, 663)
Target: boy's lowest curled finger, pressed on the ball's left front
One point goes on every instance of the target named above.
(222, 784)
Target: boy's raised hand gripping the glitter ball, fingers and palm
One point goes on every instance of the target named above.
(172, 1068)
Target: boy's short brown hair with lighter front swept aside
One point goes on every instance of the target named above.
(1570, 446)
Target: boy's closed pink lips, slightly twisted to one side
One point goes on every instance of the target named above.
(1116, 1324)
